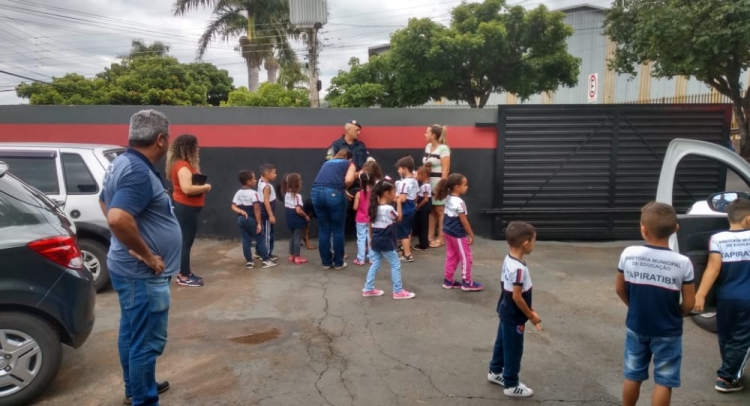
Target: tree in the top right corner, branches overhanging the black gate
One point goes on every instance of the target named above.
(708, 40)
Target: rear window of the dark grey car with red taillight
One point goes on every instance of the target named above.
(20, 207)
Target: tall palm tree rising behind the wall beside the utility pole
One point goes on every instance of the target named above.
(262, 26)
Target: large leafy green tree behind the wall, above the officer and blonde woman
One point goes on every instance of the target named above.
(489, 47)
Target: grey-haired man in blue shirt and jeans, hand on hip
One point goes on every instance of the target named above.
(144, 253)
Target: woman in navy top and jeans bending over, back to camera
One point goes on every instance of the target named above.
(329, 201)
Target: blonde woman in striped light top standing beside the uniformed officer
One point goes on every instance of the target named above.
(437, 156)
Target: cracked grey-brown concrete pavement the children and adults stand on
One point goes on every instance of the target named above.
(299, 335)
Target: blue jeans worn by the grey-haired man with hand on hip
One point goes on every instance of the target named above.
(144, 311)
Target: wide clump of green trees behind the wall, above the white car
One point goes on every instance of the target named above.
(142, 77)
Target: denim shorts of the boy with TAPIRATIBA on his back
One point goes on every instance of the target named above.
(667, 355)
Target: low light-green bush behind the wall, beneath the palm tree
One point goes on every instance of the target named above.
(268, 95)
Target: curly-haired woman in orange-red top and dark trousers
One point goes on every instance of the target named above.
(189, 198)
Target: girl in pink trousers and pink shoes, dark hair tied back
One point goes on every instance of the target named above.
(458, 233)
